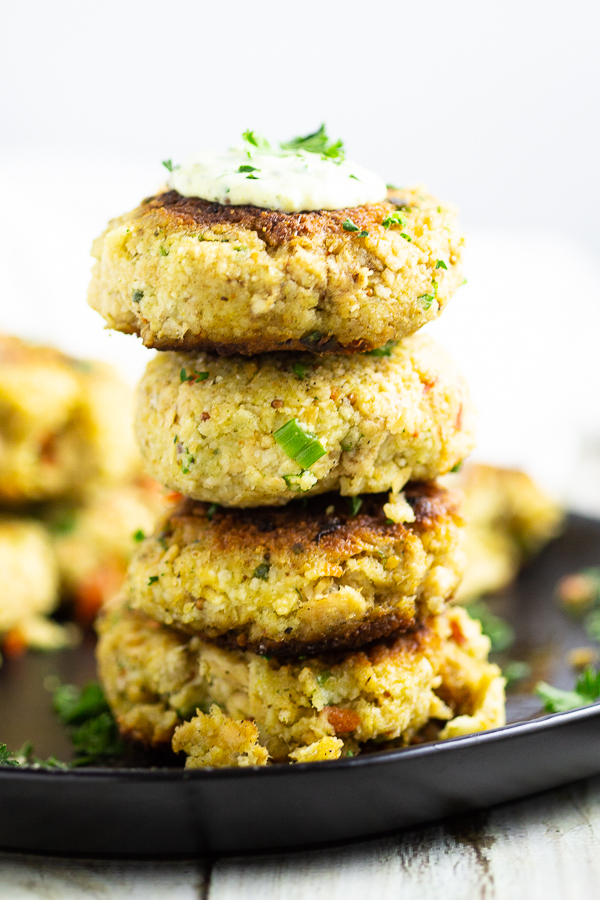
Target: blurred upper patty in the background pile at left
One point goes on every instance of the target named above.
(65, 424)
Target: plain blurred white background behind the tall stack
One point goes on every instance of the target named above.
(492, 106)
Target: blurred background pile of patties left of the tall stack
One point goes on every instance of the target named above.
(71, 497)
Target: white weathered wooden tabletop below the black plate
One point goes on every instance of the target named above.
(542, 848)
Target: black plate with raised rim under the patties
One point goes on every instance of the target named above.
(173, 812)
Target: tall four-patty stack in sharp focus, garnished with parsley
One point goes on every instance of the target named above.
(295, 605)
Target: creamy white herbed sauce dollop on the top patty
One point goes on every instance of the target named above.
(290, 181)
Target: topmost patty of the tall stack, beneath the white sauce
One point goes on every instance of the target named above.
(184, 273)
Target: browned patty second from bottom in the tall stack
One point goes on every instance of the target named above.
(302, 578)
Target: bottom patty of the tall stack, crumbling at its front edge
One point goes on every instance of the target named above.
(321, 707)
